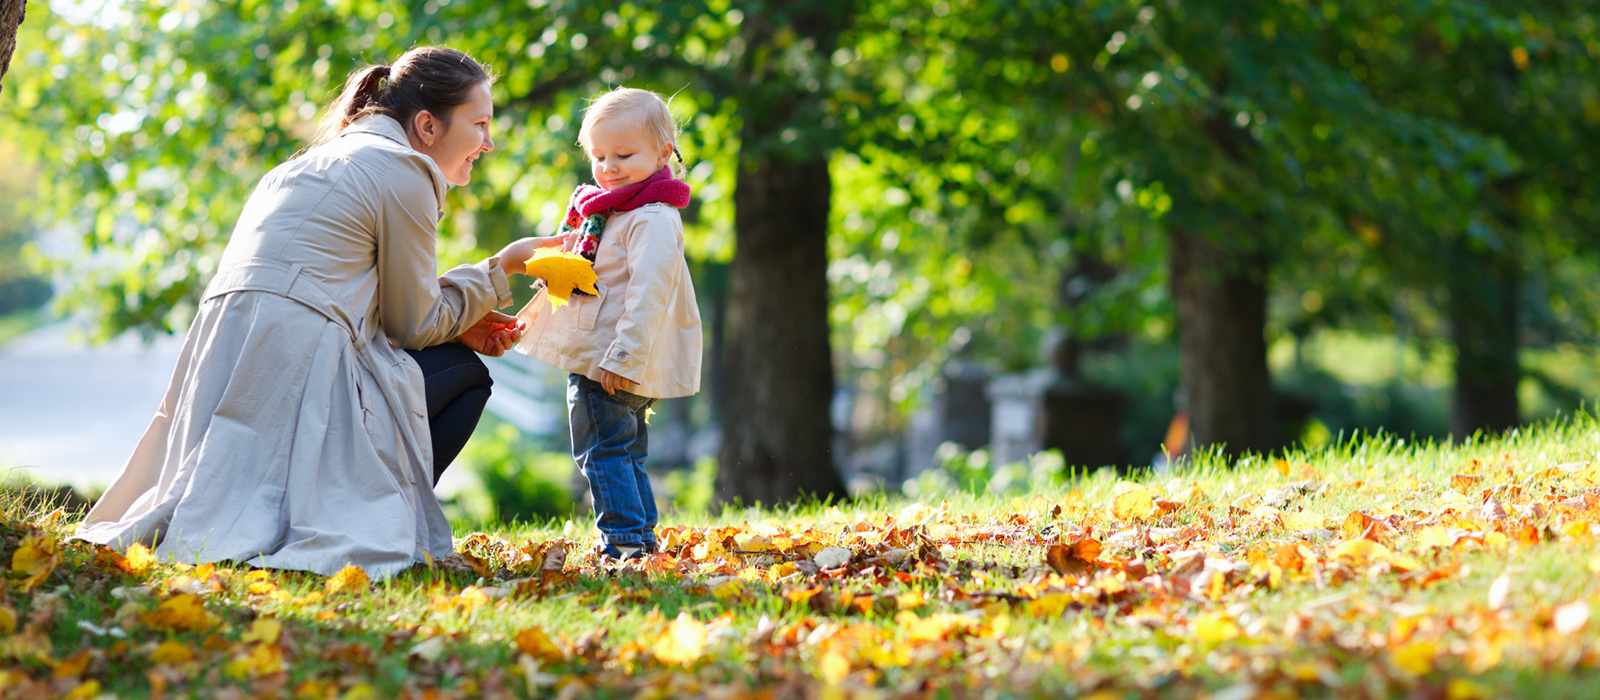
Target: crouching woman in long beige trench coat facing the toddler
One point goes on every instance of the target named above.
(319, 394)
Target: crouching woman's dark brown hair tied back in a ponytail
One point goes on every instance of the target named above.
(433, 79)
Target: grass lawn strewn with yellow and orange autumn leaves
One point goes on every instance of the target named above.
(1372, 568)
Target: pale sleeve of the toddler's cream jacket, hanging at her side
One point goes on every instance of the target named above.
(655, 260)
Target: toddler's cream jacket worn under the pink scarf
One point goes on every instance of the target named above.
(644, 325)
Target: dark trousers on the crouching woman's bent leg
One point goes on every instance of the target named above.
(458, 386)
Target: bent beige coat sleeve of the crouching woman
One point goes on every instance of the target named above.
(415, 308)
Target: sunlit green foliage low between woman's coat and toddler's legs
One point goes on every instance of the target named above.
(519, 482)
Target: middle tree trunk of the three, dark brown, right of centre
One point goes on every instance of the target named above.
(1222, 303)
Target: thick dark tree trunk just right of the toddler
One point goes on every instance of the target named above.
(775, 421)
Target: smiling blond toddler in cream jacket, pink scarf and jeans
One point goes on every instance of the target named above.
(639, 340)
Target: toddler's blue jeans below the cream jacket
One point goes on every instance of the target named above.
(609, 445)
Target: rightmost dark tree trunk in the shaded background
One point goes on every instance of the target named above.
(1484, 328)
